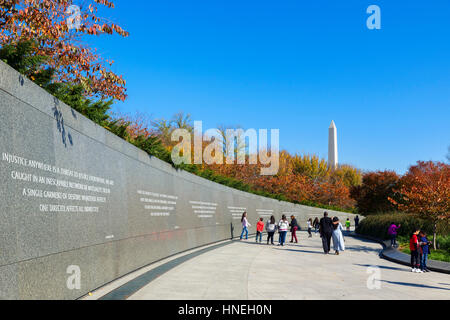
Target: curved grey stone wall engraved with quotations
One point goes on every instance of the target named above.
(80, 207)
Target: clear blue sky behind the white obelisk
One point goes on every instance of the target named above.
(295, 65)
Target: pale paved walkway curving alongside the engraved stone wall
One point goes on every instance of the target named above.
(245, 270)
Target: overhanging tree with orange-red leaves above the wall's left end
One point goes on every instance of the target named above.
(46, 23)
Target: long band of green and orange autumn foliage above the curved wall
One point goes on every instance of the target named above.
(36, 38)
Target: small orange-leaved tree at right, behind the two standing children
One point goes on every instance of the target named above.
(425, 191)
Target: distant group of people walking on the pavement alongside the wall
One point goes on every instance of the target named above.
(329, 228)
